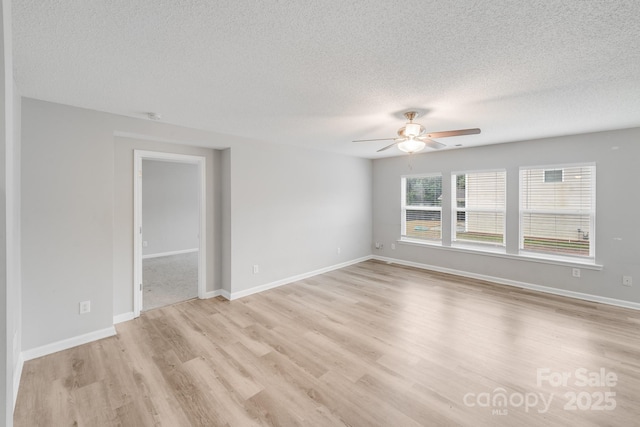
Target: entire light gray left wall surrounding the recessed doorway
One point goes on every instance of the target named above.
(286, 209)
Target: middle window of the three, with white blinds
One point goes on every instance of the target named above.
(479, 207)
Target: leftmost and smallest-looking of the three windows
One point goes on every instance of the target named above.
(421, 207)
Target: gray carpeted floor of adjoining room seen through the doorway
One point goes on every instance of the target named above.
(169, 279)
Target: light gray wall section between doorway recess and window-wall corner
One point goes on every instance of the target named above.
(292, 208)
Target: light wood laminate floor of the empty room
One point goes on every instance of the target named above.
(368, 345)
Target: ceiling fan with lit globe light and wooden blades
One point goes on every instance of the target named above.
(413, 137)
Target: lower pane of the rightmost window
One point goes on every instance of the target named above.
(556, 233)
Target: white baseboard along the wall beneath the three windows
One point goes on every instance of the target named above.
(515, 283)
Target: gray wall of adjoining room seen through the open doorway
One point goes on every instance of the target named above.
(170, 206)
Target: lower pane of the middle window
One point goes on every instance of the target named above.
(481, 227)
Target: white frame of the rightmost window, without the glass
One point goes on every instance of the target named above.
(591, 212)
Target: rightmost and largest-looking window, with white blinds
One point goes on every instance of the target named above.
(557, 214)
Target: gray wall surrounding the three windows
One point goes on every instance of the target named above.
(616, 155)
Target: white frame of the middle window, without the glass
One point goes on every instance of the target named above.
(455, 209)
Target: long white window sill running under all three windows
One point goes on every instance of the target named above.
(500, 252)
